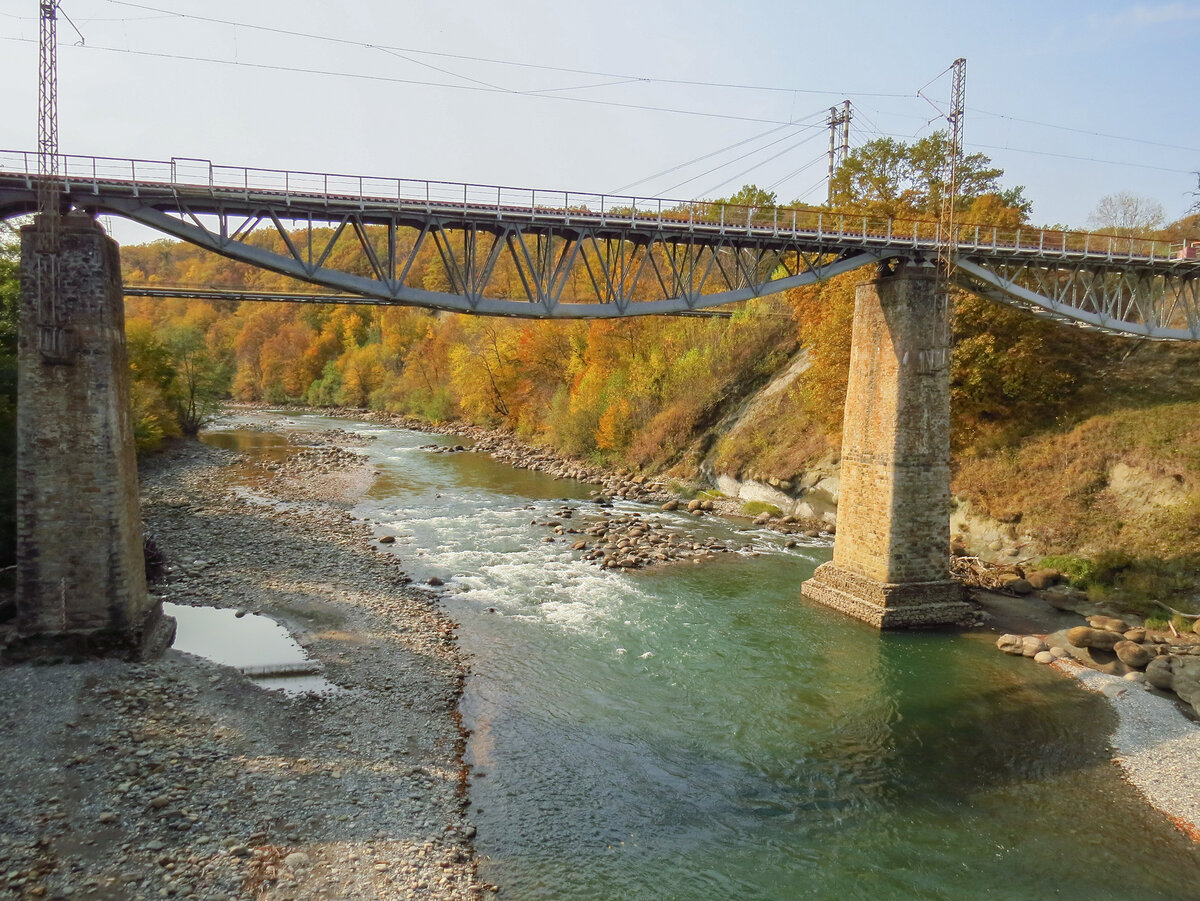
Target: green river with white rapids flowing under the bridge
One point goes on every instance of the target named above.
(700, 731)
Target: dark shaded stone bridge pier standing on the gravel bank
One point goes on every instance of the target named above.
(81, 572)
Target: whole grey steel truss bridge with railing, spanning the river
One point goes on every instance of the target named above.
(544, 255)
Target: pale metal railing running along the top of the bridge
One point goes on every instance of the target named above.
(187, 177)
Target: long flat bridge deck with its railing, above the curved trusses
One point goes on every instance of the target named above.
(304, 195)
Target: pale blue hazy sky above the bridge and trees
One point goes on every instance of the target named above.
(1073, 100)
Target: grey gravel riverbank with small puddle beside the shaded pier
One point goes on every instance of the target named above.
(183, 779)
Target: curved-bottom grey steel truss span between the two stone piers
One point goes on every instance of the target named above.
(703, 274)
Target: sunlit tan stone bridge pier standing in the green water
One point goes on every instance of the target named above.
(892, 551)
